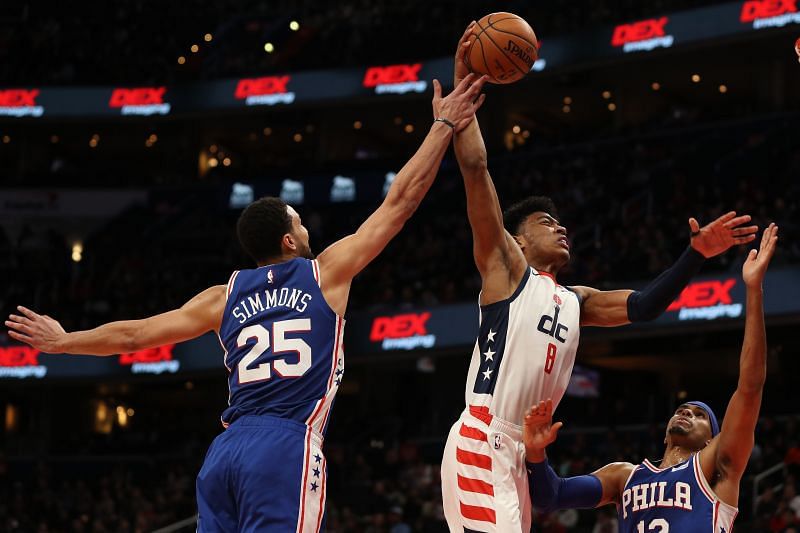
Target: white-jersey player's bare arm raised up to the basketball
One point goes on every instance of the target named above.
(498, 258)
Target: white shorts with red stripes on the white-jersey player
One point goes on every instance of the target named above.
(484, 479)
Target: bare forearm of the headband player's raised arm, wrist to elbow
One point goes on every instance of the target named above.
(753, 361)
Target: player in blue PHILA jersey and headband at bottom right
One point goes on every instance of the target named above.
(695, 487)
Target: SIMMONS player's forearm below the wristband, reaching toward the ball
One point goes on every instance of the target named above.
(417, 175)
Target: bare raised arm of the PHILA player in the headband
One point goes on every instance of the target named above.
(725, 459)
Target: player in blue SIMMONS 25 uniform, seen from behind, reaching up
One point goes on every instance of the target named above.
(281, 327)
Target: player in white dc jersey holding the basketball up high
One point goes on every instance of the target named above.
(528, 334)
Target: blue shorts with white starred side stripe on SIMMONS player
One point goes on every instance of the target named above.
(263, 474)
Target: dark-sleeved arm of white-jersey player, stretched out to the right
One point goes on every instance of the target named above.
(615, 308)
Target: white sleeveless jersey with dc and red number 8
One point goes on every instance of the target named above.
(525, 349)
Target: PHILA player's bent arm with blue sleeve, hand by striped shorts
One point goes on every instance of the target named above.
(550, 492)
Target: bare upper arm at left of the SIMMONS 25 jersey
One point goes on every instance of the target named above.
(197, 316)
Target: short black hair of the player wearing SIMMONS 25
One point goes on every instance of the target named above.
(261, 226)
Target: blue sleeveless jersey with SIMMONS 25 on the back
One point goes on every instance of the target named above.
(283, 344)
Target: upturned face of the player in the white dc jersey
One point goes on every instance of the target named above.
(544, 240)
